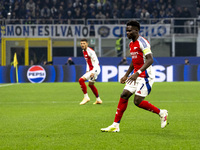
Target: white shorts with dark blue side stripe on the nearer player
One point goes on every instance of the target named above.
(142, 86)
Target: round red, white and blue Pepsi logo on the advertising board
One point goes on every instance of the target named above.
(36, 74)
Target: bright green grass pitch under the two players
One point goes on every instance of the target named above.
(48, 116)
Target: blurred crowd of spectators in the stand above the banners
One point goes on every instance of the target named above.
(63, 11)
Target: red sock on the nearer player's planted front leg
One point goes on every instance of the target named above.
(122, 105)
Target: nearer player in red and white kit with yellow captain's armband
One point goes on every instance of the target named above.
(141, 81)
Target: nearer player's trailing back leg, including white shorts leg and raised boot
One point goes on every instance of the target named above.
(143, 89)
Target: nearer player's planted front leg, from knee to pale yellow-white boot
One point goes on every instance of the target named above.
(122, 105)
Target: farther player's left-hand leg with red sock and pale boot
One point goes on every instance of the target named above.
(84, 88)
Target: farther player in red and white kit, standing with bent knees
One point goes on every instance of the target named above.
(92, 72)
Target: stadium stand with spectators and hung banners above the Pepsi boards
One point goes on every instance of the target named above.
(50, 30)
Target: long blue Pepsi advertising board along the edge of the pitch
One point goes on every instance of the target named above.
(109, 73)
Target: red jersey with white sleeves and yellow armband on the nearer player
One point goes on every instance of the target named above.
(138, 50)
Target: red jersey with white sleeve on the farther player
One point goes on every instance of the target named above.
(91, 59)
